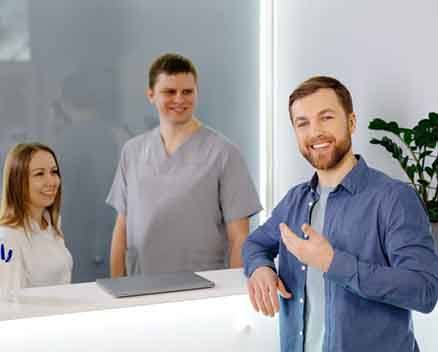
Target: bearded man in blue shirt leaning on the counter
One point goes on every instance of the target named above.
(355, 253)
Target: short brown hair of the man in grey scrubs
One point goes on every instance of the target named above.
(170, 64)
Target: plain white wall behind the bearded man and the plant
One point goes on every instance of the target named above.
(384, 51)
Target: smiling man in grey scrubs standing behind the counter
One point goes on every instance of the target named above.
(182, 191)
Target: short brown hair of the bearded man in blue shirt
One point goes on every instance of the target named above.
(312, 84)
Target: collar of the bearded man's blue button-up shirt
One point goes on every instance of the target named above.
(353, 182)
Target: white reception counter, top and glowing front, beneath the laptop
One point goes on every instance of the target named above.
(82, 317)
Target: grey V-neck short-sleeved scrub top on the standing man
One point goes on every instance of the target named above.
(177, 207)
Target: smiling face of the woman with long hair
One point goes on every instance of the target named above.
(44, 180)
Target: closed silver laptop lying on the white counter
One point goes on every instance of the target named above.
(153, 283)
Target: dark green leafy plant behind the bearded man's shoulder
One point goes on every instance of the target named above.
(416, 150)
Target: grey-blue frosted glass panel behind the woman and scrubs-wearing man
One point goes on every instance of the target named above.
(73, 75)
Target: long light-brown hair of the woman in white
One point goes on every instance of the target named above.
(14, 210)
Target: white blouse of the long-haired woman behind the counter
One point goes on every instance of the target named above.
(38, 259)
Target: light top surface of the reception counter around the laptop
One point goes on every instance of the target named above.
(84, 297)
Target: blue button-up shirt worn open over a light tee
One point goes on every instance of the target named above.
(383, 267)
